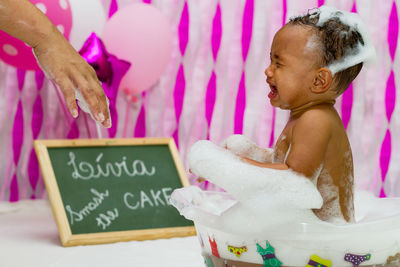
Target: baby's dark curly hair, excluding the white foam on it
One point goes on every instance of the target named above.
(335, 39)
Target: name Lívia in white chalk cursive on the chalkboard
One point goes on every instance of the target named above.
(85, 170)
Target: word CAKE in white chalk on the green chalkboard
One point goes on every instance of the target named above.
(151, 199)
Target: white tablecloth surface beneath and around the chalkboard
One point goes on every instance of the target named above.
(29, 237)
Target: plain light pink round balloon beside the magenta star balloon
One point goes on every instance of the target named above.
(140, 34)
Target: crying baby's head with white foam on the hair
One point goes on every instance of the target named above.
(331, 46)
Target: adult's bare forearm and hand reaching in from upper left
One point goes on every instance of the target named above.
(57, 58)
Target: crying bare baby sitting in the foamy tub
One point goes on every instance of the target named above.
(314, 58)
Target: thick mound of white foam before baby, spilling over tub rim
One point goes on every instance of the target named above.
(266, 197)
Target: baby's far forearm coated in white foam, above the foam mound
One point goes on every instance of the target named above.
(245, 148)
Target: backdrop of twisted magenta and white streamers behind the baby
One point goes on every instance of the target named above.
(209, 89)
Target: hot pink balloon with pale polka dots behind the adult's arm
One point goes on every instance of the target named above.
(17, 53)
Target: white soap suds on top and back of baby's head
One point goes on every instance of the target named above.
(363, 51)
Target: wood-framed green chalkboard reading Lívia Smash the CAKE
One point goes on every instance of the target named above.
(109, 190)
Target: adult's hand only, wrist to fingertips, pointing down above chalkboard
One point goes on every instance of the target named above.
(62, 64)
